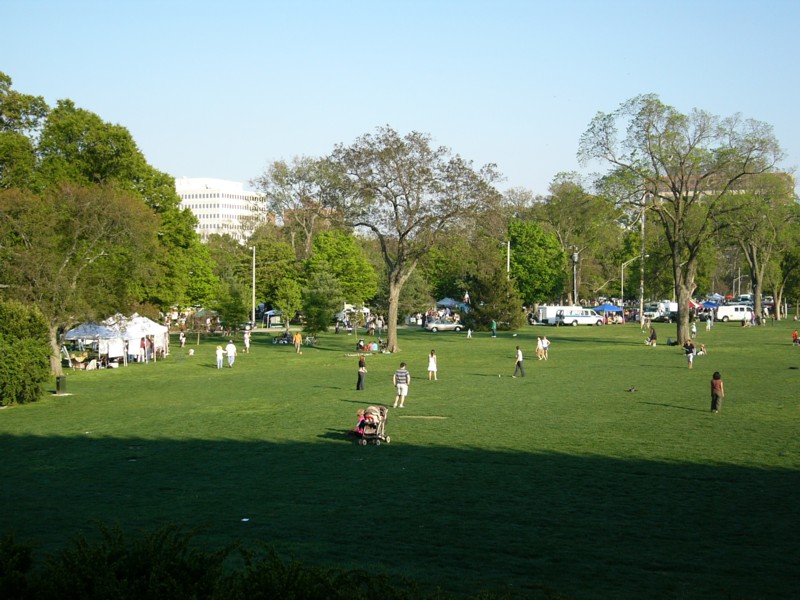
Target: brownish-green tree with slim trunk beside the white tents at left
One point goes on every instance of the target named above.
(74, 251)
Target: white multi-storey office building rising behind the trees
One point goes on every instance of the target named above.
(222, 207)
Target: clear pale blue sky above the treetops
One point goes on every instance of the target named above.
(221, 89)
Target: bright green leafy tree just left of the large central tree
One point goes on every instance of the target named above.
(338, 253)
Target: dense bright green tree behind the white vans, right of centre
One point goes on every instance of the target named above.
(537, 262)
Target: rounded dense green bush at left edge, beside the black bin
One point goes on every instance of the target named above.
(25, 348)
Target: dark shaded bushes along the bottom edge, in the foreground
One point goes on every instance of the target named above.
(163, 564)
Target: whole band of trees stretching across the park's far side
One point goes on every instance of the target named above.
(89, 228)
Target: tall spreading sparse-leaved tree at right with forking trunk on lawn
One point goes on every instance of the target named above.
(686, 165)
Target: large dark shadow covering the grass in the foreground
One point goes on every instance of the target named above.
(580, 526)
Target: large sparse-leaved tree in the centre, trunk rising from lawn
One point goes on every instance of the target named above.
(406, 194)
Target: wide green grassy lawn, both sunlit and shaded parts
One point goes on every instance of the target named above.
(562, 482)
